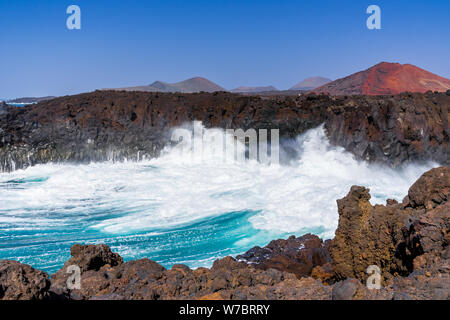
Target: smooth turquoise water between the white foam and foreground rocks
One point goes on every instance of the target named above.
(197, 243)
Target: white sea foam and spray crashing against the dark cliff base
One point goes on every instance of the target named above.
(180, 187)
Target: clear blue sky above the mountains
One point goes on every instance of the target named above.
(233, 43)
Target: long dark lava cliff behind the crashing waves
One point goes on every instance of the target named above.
(117, 125)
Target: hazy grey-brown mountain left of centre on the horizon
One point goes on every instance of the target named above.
(196, 84)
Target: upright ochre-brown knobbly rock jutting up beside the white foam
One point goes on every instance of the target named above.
(364, 236)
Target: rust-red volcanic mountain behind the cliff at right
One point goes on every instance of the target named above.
(386, 79)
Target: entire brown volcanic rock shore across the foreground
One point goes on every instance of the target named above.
(408, 242)
